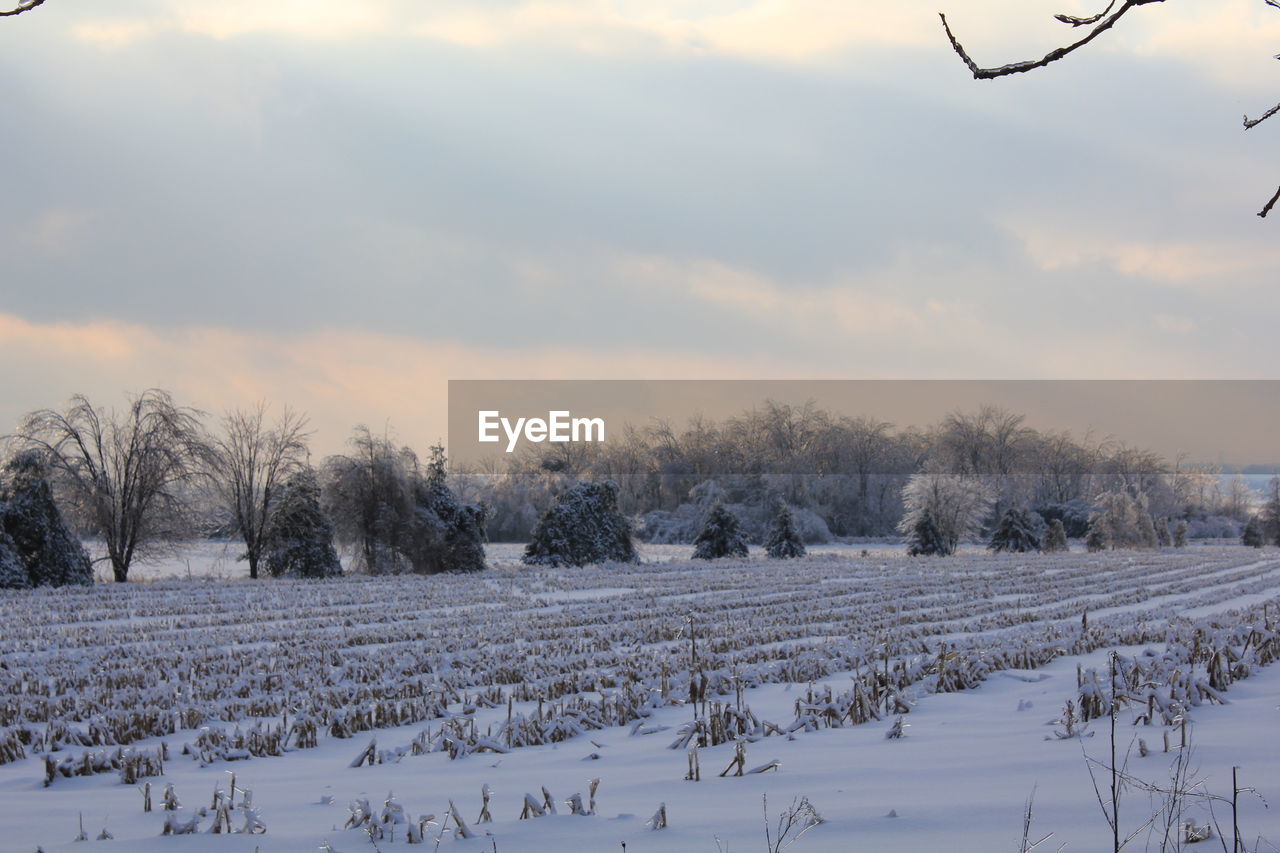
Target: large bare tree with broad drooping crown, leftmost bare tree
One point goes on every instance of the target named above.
(122, 473)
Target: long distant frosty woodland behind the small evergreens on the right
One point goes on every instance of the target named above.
(847, 476)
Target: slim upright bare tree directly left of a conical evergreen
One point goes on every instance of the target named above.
(250, 464)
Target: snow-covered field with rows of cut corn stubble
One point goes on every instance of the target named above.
(529, 679)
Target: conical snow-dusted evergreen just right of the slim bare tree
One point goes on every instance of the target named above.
(299, 540)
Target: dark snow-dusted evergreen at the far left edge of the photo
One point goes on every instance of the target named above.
(51, 553)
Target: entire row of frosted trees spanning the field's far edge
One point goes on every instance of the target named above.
(154, 473)
